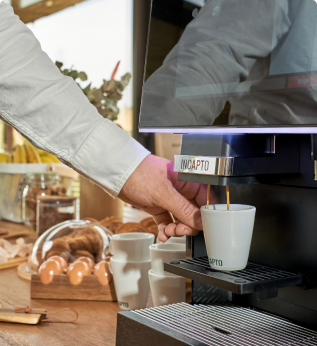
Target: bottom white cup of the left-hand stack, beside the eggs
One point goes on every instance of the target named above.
(131, 282)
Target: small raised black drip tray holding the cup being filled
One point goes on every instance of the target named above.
(254, 278)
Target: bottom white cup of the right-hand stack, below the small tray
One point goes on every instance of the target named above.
(167, 289)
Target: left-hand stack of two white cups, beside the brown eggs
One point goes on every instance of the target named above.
(129, 266)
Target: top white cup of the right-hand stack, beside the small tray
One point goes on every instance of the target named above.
(164, 252)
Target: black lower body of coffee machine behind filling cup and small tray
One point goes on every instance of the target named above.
(284, 237)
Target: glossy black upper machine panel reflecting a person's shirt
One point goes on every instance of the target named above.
(247, 65)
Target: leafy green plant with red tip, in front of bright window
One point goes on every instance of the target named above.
(104, 98)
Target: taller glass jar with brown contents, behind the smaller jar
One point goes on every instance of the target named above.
(39, 185)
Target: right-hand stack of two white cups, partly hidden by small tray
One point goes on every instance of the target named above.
(166, 288)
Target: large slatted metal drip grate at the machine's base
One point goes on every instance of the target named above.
(225, 325)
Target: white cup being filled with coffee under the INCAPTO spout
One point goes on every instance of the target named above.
(228, 235)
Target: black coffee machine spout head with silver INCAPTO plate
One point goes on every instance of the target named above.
(237, 159)
